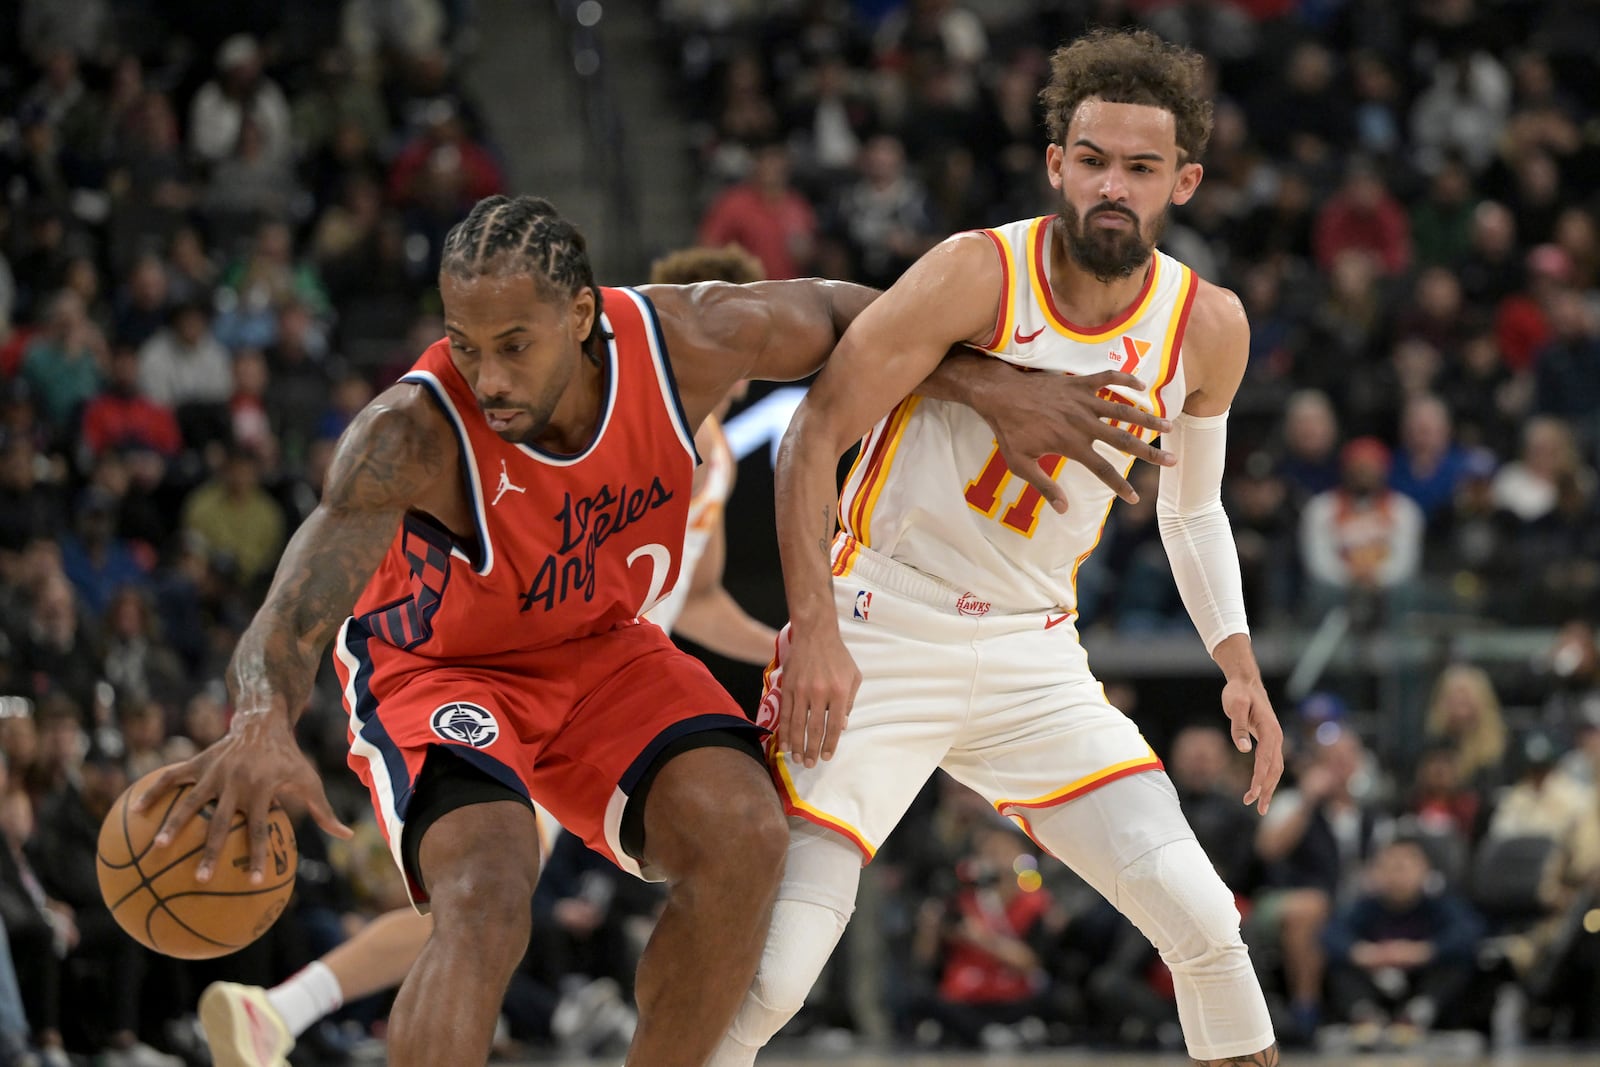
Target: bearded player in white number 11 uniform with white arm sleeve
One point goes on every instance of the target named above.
(951, 583)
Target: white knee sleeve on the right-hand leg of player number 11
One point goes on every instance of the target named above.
(1175, 897)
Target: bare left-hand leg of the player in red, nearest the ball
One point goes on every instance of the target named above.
(479, 865)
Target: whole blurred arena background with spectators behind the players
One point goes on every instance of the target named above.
(220, 226)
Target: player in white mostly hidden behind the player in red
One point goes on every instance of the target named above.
(249, 1026)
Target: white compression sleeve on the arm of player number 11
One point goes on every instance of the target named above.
(1196, 532)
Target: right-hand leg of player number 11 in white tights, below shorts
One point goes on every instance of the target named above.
(1130, 841)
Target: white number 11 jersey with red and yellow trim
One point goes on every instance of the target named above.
(930, 489)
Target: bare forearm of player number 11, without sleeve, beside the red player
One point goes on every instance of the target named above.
(807, 508)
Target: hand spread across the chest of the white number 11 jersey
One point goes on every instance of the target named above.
(1063, 415)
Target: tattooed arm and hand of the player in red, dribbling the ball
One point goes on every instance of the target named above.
(396, 449)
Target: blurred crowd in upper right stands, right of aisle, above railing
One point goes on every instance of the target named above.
(1404, 198)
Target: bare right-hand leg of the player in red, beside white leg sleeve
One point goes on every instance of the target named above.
(714, 828)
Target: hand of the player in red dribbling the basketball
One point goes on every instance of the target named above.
(255, 762)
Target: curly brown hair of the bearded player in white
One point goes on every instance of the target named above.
(1130, 68)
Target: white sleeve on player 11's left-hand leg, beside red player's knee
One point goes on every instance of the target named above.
(815, 901)
